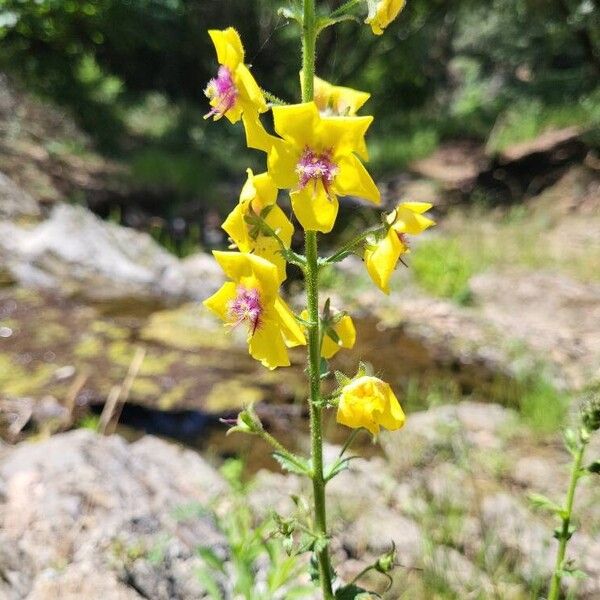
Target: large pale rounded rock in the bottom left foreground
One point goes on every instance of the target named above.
(93, 516)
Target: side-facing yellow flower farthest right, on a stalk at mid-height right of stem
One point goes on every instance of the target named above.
(381, 256)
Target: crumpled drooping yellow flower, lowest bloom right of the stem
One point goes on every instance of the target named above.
(370, 403)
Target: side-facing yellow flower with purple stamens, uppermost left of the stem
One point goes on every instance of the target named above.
(233, 92)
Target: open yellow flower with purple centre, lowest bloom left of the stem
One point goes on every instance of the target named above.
(252, 299)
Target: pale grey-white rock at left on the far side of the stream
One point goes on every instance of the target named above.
(78, 254)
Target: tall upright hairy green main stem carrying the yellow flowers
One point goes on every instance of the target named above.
(309, 35)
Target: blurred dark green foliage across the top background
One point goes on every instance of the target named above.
(133, 72)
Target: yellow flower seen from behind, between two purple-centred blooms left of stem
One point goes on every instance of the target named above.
(258, 196)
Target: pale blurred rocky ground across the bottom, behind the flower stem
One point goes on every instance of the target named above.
(88, 516)
